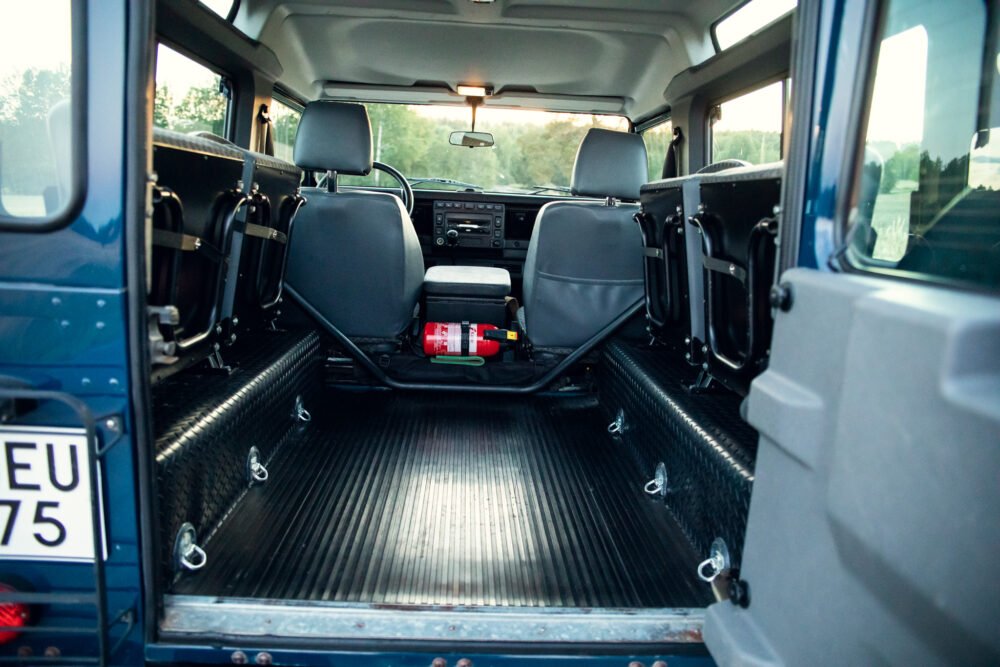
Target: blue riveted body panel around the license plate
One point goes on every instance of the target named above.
(63, 328)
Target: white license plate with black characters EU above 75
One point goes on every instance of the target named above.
(45, 504)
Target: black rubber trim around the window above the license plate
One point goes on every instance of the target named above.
(78, 100)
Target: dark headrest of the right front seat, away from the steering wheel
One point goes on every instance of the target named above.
(610, 164)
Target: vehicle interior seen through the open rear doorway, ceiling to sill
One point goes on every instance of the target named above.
(420, 410)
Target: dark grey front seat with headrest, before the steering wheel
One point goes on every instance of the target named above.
(354, 256)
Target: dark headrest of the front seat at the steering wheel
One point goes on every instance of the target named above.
(334, 136)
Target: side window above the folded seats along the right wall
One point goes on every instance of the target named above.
(748, 127)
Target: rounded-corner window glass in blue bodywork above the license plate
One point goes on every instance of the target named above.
(40, 165)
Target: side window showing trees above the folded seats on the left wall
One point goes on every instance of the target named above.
(189, 96)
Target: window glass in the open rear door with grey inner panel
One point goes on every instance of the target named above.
(927, 187)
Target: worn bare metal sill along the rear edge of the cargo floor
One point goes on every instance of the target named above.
(203, 617)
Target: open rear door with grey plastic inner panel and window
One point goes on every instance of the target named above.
(874, 527)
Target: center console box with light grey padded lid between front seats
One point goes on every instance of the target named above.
(466, 294)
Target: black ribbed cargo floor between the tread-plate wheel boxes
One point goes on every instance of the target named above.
(408, 499)
